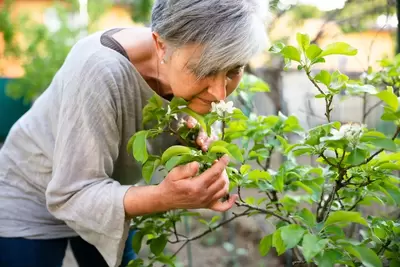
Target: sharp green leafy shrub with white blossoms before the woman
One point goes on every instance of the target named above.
(355, 167)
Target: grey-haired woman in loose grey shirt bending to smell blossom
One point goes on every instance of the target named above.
(65, 174)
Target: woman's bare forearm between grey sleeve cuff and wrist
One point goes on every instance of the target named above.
(143, 200)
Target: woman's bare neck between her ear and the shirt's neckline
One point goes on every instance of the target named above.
(142, 54)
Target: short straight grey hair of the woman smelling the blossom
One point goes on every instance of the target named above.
(230, 32)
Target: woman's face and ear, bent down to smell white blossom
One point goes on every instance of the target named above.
(200, 92)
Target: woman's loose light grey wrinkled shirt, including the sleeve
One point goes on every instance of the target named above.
(64, 167)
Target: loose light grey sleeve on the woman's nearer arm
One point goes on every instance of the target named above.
(87, 138)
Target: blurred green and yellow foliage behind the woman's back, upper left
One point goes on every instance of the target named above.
(43, 51)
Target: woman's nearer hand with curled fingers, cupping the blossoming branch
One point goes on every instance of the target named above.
(182, 189)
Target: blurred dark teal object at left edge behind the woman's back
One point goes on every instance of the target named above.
(10, 110)
